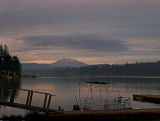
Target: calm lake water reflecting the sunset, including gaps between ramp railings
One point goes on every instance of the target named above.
(67, 88)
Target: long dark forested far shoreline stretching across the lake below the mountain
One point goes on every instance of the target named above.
(134, 69)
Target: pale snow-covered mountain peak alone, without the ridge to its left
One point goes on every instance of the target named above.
(68, 63)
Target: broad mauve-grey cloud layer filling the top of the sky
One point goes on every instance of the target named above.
(122, 18)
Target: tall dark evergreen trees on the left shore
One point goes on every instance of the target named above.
(9, 63)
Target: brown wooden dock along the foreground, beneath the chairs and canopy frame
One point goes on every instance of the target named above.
(122, 112)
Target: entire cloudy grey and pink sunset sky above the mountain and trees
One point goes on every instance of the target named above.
(92, 31)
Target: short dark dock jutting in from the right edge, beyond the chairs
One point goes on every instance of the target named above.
(147, 98)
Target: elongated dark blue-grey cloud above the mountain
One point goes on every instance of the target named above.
(80, 42)
